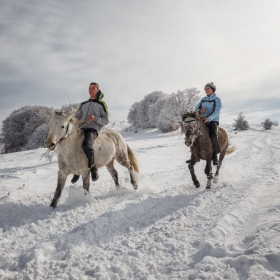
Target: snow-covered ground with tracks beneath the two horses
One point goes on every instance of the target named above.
(167, 229)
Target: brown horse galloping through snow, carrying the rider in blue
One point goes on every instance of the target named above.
(198, 139)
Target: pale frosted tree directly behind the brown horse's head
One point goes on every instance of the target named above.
(175, 106)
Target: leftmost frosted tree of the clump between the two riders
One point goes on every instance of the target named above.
(144, 106)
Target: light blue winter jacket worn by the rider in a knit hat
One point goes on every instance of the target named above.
(213, 107)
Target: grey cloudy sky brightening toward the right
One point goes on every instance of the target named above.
(51, 50)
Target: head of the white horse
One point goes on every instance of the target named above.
(58, 127)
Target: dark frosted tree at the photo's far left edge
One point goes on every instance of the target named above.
(19, 126)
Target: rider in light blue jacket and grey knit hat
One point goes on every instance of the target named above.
(209, 109)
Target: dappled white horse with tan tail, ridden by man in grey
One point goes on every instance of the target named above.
(108, 146)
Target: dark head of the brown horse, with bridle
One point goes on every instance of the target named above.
(191, 123)
